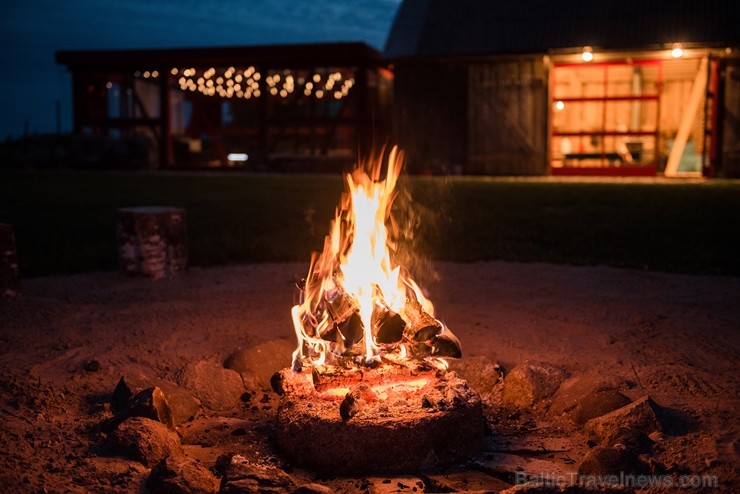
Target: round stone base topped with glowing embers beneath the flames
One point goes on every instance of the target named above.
(384, 423)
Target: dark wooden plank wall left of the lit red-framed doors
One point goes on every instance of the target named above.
(480, 117)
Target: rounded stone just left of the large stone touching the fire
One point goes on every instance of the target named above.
(217, 388)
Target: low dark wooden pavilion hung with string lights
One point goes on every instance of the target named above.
(308, 107)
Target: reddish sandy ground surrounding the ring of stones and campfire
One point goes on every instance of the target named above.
(674, 337)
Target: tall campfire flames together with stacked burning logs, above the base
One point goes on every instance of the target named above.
(357, 304)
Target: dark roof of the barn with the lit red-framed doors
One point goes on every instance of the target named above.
(434, 28)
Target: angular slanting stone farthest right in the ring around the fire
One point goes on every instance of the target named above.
(639, 416)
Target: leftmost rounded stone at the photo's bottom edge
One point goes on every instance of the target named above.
(179, 474)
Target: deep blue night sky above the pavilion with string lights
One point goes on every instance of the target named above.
(32, 30)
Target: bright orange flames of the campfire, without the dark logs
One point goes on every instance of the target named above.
(355, 275)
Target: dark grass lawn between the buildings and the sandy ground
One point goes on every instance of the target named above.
(65, 221)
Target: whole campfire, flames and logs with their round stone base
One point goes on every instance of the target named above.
(368, 390)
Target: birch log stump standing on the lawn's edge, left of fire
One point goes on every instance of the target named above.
(152, 241)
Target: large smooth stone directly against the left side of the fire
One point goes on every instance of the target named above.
(263, 360)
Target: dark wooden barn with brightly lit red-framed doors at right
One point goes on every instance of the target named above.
(577, 87)
